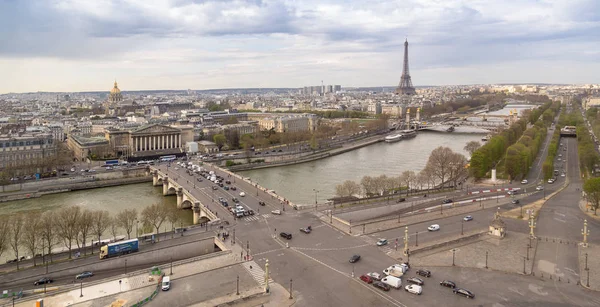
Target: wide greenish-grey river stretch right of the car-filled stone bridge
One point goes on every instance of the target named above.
(298, 182)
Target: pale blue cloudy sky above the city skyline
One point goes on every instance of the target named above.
(83, 45)
